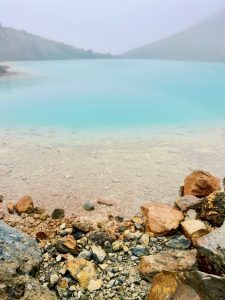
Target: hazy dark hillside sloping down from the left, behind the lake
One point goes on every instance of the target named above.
(20, 45)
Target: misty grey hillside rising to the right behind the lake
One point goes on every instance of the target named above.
(202, 42)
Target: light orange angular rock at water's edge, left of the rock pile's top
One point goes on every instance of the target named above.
(161, 219)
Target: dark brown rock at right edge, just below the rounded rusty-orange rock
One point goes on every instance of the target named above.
(213, 209)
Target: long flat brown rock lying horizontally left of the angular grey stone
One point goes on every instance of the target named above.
(168, 261)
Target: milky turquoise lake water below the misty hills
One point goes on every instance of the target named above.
(92, 94)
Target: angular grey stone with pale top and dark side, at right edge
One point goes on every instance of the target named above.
(211, 252)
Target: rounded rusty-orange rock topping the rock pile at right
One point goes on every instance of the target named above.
(201, 184)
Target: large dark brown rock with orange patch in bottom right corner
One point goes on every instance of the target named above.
(187, 285)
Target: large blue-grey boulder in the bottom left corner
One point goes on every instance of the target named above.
(20, 257)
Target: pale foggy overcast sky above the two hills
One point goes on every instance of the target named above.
(106, 25)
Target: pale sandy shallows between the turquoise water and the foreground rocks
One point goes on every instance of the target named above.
(65, 168)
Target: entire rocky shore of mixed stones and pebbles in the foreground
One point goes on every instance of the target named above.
(166, 252)
